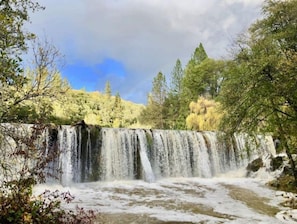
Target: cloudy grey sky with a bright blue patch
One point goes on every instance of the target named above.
(127, 42)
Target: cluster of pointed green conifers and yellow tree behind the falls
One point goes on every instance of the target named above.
(168, 104)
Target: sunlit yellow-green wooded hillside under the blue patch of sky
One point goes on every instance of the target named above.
(96, 108)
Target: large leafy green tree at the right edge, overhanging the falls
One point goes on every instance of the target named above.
(259, 93)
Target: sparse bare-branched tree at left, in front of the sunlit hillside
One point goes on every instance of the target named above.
(39, 86)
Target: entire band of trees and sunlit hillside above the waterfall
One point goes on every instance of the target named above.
(253, 91)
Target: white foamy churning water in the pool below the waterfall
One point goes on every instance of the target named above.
(194, 200)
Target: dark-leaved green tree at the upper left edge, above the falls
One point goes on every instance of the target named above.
(13, 15)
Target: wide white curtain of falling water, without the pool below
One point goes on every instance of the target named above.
(106, 154)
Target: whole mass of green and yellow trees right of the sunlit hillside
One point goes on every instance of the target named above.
(254, 91)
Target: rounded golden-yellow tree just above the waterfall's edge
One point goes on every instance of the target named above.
(204, 115)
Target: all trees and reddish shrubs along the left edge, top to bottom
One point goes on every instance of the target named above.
(26, 95)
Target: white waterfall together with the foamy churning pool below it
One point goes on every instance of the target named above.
(155, 176)
